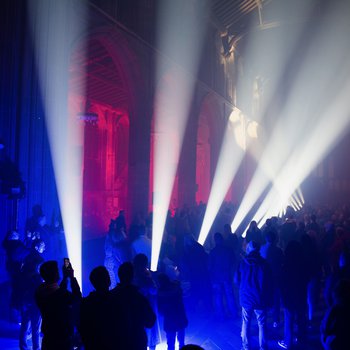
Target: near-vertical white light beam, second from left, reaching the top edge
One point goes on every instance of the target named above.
(180, 37)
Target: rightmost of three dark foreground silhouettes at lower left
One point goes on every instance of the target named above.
(134, 308)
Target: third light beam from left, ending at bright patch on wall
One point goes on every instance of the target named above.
(228, 163)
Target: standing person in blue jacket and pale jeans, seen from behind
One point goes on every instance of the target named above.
(254, 278)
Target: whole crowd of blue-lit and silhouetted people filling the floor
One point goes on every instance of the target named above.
(284, 273)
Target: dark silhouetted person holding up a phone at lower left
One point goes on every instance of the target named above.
(56, 306)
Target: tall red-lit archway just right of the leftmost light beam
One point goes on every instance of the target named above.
(104, 111)
